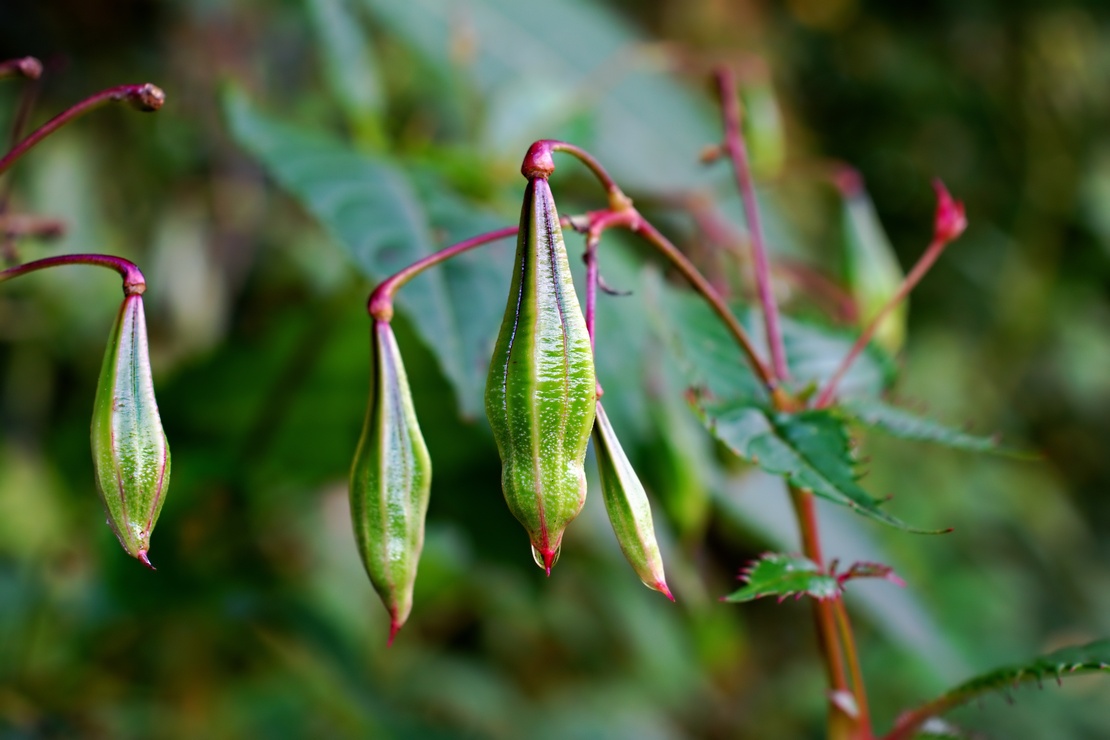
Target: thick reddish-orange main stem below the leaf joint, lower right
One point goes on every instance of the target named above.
(842, 726)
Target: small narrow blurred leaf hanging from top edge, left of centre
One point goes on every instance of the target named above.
(350, 68)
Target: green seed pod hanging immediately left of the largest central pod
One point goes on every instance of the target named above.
(391, 480)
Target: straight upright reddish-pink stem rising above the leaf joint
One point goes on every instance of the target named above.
(739, 154)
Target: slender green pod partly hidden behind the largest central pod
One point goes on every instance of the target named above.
(628, 506)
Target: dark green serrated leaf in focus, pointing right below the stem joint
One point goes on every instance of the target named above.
(810, 450)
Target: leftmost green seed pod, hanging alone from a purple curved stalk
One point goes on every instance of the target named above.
(129, 450)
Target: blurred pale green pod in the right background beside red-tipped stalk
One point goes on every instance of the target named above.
(874, 275)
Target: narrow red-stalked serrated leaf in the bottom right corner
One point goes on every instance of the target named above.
(1094, 657)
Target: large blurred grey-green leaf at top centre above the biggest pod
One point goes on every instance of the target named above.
(650, 128)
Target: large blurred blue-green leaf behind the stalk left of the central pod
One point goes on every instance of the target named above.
(378, 215)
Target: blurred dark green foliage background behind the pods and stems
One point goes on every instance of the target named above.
(309, 148)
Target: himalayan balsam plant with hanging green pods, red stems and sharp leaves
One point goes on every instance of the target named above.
(543, 403)
